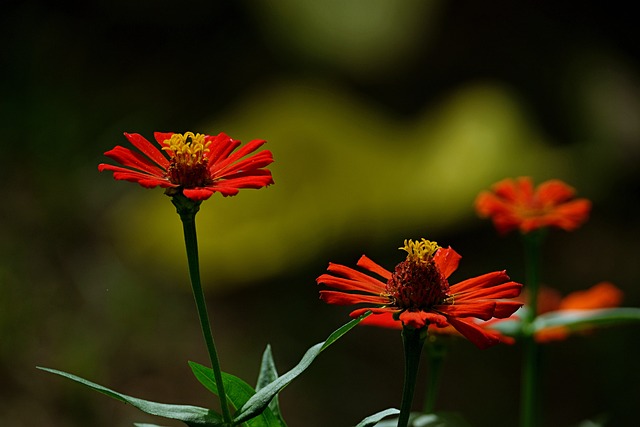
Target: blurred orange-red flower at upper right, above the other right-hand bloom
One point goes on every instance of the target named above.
(515, 204)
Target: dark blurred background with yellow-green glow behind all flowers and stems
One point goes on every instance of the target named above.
(385, 118)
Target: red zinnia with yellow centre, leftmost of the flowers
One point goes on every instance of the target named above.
(197, 164)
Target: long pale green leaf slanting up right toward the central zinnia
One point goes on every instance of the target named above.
(259, 401)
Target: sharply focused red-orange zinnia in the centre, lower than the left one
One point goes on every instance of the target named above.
(418, 293)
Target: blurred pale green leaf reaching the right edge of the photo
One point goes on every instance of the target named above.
(586, 319)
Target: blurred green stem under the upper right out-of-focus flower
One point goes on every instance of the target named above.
(531, 358)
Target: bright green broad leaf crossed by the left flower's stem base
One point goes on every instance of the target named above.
(238, 393)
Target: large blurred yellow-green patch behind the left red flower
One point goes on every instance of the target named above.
(345, 172)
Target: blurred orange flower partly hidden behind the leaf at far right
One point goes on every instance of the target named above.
(600, 296)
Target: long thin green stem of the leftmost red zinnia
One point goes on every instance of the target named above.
(187, 210)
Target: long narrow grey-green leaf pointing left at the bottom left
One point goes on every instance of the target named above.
(192, 416)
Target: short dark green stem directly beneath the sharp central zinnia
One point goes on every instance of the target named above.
(413, 341)
